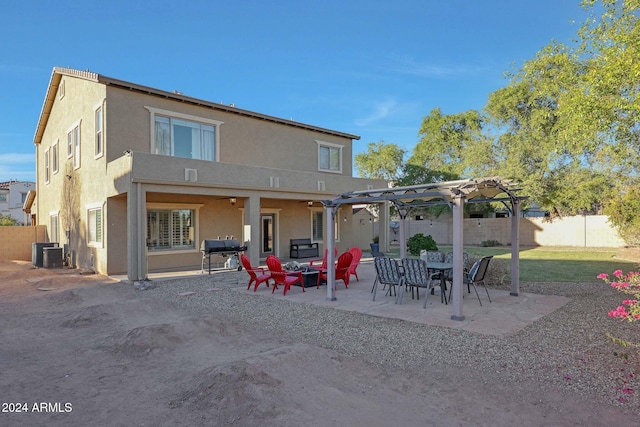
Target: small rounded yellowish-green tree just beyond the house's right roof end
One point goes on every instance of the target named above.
(381, 161)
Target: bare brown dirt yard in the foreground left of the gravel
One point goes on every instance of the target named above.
(79, 350)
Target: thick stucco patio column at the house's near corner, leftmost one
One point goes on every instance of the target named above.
(136, 232)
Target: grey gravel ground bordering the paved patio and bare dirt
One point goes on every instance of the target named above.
(568, 348)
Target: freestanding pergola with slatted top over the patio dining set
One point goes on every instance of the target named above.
(452, 193)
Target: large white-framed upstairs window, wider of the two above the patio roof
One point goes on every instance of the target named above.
(184, 135)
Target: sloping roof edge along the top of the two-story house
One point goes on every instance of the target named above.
(58, 73)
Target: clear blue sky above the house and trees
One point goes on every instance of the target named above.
(367, 67)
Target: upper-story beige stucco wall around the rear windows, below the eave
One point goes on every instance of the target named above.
(243, 140)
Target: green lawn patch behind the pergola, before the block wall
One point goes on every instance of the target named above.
(552, 264)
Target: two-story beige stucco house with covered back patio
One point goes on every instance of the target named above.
(132, 178)
